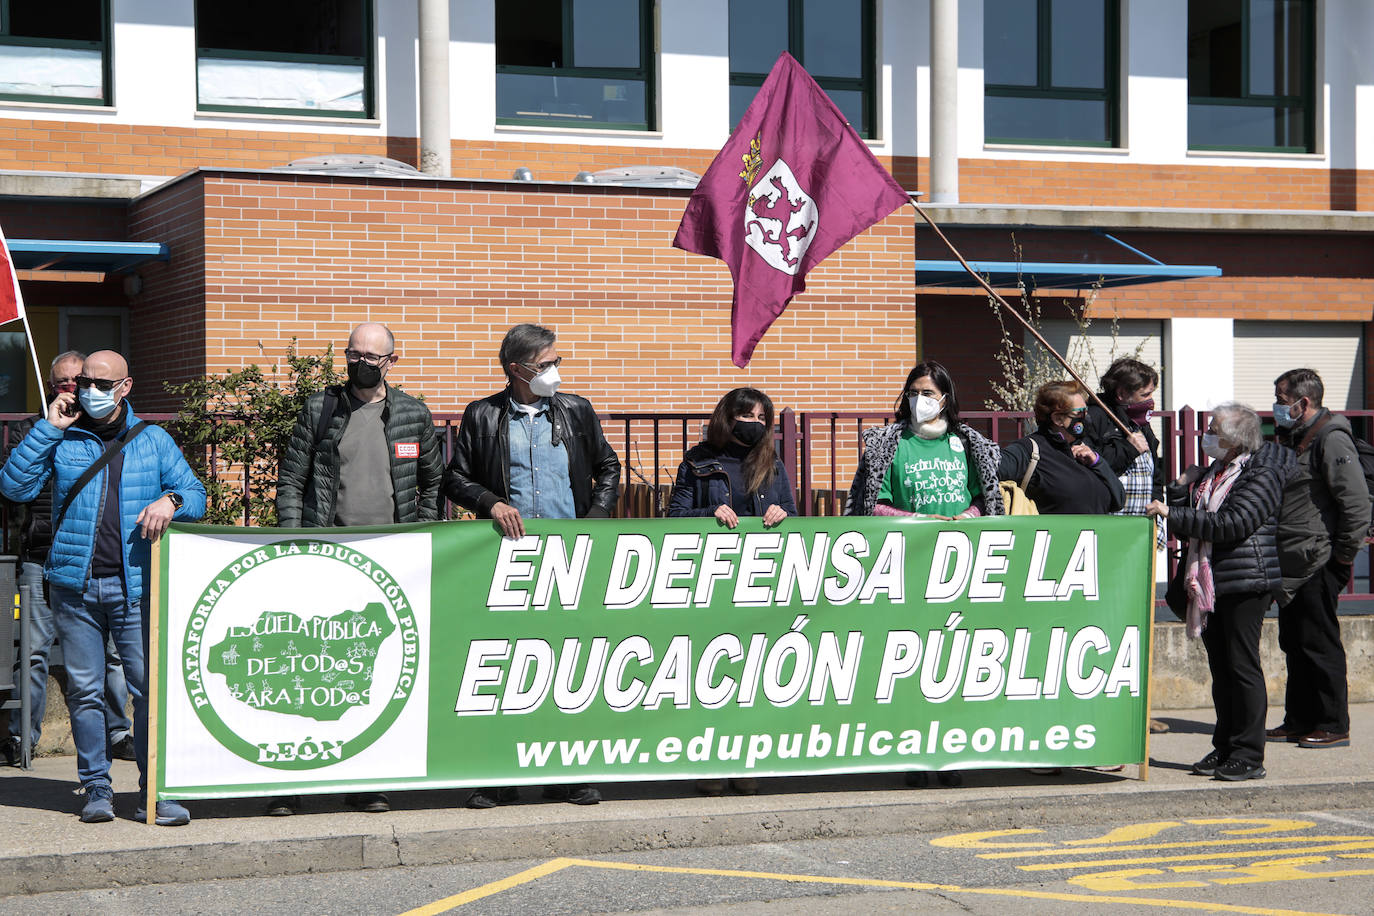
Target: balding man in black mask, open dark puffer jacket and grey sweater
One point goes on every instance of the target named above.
(362, 454)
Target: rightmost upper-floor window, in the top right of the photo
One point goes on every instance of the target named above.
(1251, 75)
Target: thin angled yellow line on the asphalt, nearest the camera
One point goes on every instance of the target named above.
(560, 865)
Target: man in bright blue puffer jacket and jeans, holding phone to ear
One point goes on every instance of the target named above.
(101, 551)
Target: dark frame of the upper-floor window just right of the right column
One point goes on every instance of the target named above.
(1111, 94)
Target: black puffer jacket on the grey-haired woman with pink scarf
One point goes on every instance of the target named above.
(1244, 532)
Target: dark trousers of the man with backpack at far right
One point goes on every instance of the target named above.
(1310, 637)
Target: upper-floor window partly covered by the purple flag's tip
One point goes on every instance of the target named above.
(832, 39)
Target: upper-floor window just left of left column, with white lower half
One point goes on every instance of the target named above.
(285, 57)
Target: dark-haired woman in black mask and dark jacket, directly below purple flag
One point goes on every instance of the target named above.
(736, 472)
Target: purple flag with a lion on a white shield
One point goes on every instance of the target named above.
(793, 183)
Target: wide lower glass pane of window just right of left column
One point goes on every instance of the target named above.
(571, 100)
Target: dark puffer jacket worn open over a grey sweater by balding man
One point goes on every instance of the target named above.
(308, 474)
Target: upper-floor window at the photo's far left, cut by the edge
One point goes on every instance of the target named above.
(56, 51)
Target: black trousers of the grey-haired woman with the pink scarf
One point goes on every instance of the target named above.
(1239, 693)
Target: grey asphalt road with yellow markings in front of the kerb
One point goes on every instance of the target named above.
(1310, 863)
